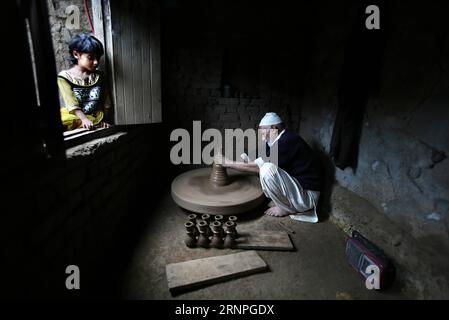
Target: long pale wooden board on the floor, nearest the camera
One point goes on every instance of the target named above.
(200, 272)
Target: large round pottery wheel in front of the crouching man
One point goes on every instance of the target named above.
(222, 192)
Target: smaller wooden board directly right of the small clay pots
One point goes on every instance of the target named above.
(264, 240)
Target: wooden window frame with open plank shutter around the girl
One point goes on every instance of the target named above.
(130, 34)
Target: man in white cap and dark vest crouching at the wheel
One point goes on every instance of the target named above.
(294, 184)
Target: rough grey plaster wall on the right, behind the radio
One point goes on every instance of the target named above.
(401, 169)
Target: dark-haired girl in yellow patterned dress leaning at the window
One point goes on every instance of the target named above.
(83, 88)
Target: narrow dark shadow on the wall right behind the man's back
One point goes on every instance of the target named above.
(328, 180)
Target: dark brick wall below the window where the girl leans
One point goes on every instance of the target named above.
(83, 212)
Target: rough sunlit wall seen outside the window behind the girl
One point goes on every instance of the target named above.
(61, 35)
